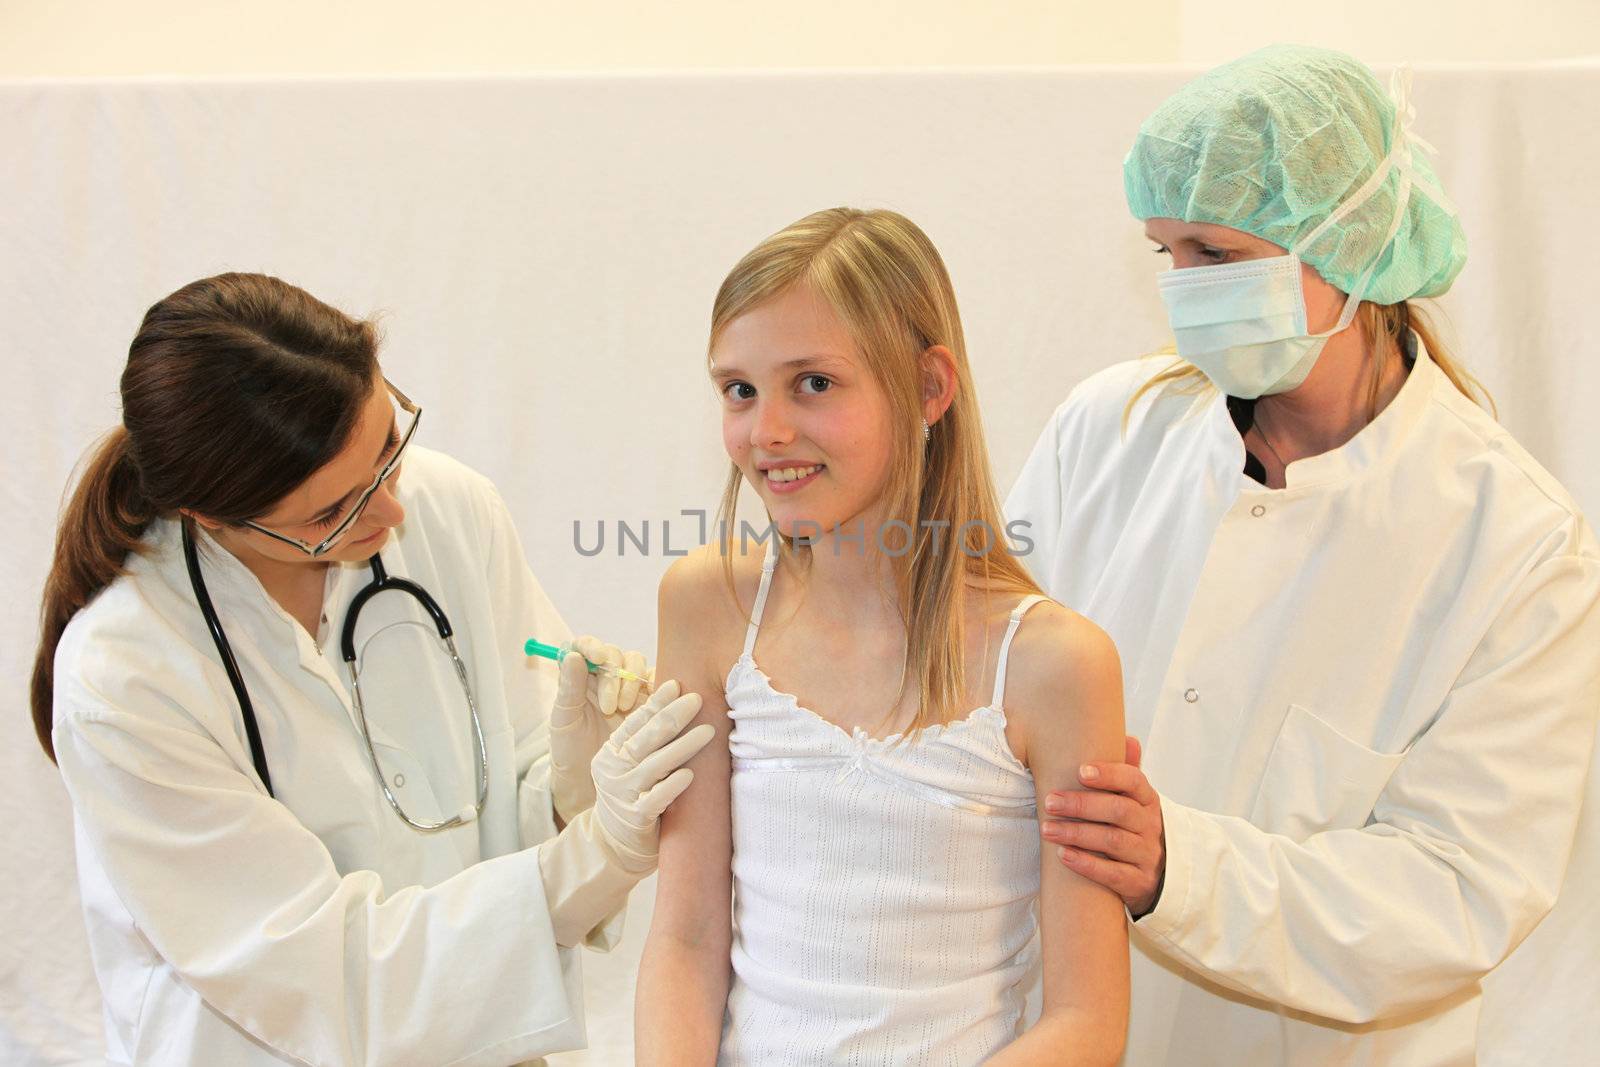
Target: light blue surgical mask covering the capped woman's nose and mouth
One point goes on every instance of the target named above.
(1244, 324)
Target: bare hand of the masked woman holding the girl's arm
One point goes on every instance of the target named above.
(1111, 833)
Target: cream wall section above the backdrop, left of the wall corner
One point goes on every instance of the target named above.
(97, 38)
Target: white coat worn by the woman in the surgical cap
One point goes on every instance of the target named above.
(1367, 700)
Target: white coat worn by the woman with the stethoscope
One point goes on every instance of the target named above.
(233, 929)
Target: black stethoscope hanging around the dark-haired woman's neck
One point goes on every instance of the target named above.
(382, 583)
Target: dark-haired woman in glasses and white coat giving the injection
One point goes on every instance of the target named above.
(326, 810)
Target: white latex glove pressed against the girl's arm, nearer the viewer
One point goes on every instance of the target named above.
(593, 865)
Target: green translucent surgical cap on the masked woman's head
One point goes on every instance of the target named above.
(1276, 143)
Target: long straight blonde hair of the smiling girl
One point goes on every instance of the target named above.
(889, 287)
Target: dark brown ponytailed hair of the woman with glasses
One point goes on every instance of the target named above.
(238, 390)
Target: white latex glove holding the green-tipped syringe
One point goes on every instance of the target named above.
(588, 708)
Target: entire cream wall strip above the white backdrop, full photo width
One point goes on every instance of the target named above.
(319, 38)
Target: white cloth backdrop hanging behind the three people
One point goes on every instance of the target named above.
(545, 252)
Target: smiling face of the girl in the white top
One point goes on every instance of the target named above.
(802, 417)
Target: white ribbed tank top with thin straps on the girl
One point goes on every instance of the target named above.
(884, 893)
